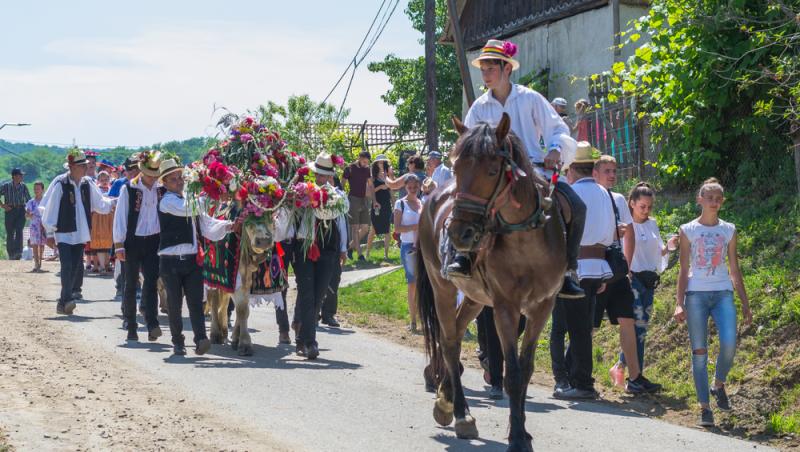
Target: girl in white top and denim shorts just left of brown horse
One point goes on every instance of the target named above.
(406, 219)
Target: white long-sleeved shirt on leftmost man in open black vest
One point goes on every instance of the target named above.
(50, 206)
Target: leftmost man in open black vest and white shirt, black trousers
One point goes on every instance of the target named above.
(66, 217)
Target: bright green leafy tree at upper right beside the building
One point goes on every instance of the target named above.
(719, 84)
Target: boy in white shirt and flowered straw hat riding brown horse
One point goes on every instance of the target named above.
(537, 125)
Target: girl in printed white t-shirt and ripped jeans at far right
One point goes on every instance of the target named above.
(705, 289)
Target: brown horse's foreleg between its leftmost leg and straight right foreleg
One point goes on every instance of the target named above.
(465, 424)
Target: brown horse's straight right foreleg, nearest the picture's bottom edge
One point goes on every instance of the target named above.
(506, 320)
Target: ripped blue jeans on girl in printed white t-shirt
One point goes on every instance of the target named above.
(699, 306)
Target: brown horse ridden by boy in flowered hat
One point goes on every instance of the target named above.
(498, 210)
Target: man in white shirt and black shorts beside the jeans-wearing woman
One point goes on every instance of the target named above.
(617, 300)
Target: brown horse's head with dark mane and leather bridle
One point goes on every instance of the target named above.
(486, 162)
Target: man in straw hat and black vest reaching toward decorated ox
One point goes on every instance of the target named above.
(177, 250)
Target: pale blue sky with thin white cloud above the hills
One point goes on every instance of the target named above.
(135, 73)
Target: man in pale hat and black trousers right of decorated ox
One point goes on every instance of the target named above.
(313, 276)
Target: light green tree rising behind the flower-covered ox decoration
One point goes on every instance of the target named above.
(307, 126)
